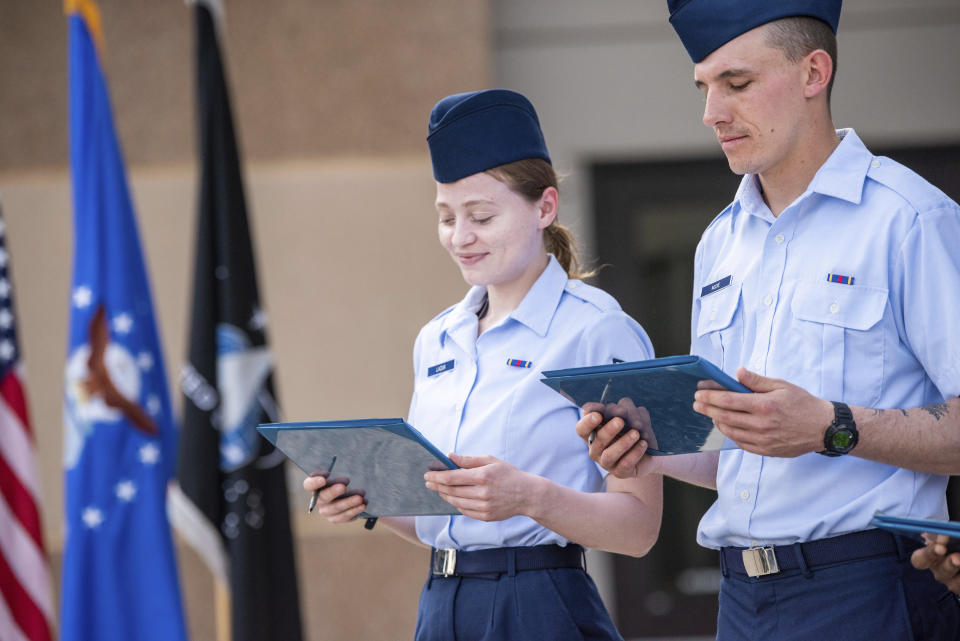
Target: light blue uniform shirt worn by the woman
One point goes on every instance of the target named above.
(468, 399)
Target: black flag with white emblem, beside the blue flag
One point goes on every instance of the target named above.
(236, 513)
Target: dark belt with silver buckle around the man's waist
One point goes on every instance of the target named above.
(761, 561)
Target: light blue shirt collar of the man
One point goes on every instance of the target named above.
(841, 176)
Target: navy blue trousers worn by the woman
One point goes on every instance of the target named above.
(559, 604)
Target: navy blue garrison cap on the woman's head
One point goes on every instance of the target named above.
(476, 131)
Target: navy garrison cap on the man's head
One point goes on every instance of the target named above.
(707, 25)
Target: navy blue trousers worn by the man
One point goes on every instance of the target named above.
(878, 599)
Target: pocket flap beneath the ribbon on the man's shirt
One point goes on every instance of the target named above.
(851, 306)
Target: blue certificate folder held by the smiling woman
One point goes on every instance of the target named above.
(384, 459)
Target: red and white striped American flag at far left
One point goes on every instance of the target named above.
(26, 608)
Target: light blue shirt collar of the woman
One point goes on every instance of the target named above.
(536, 310)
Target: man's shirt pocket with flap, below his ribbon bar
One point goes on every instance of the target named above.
(845, 321)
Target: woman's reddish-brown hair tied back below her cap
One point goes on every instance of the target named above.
(529, 178)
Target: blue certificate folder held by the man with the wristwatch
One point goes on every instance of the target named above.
(654, 397)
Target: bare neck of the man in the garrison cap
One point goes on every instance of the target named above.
(785, 183)
